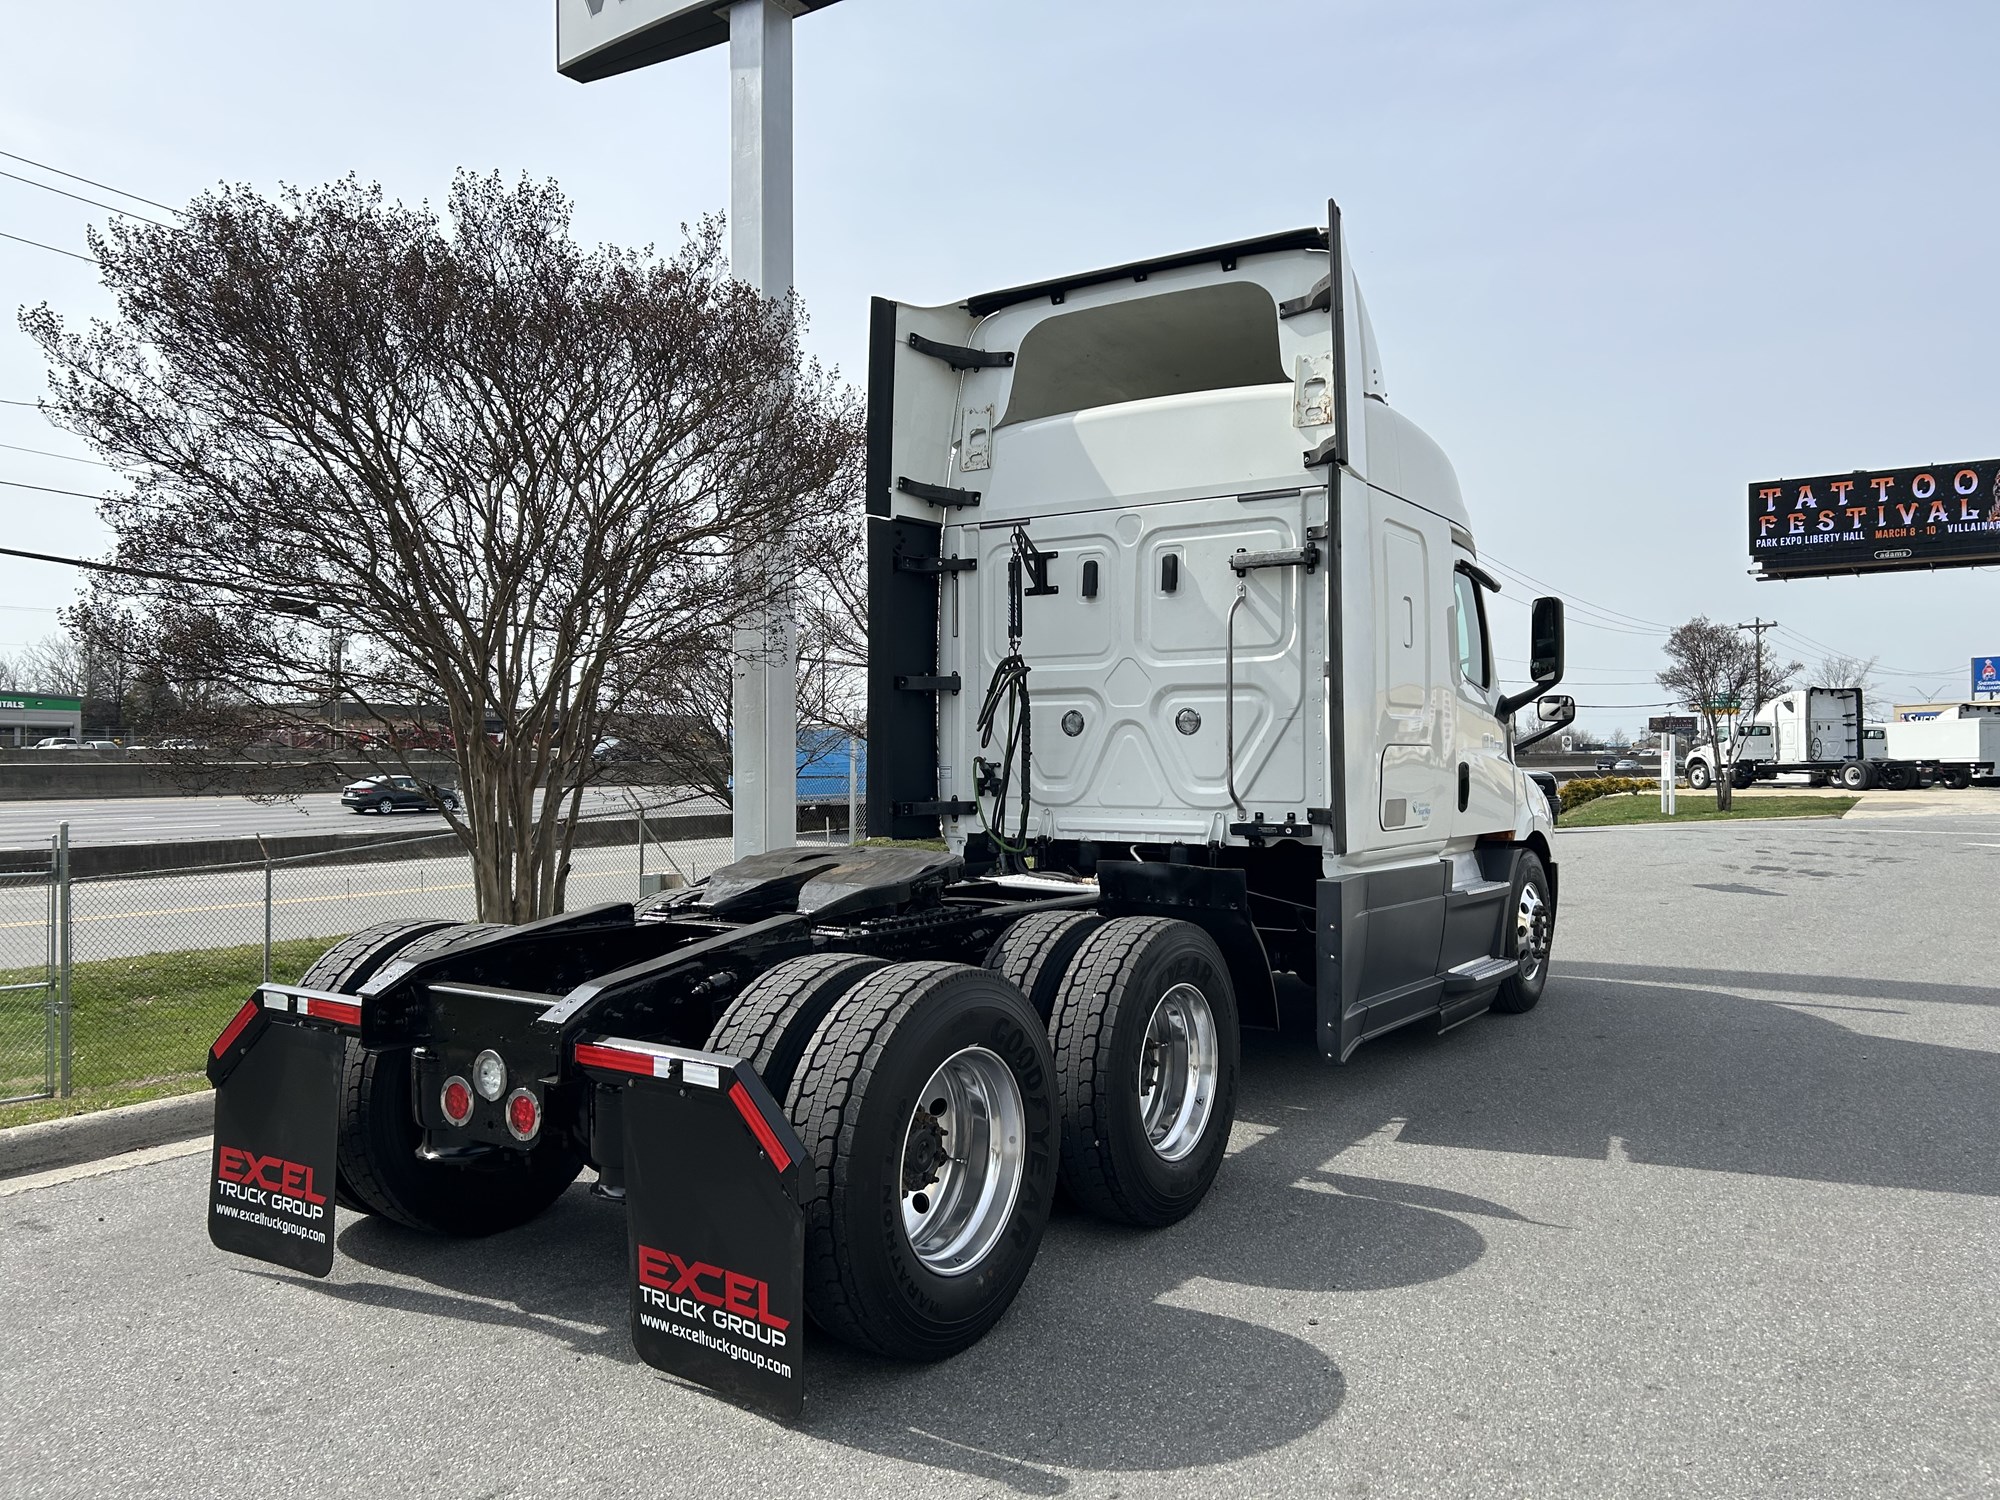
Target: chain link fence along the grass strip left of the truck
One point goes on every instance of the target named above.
(115, 985)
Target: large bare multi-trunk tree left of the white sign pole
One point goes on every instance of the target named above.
(407, 459)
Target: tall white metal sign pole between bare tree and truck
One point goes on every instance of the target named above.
(765, 693)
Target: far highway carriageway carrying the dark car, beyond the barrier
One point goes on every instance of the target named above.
(195, 819)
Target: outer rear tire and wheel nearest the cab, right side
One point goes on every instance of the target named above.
(1147, 1047)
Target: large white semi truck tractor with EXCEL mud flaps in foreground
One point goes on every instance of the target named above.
(1181, 689)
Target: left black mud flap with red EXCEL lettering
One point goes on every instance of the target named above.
(271, 1191)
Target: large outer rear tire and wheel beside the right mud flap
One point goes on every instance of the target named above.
(929, 1107)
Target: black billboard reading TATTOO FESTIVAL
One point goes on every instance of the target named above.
(1877, 521)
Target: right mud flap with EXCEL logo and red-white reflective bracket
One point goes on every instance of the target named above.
(715, 1177)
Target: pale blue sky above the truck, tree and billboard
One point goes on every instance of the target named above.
(1621, 259)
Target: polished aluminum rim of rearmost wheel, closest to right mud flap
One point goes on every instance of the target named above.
(963, 1161)
